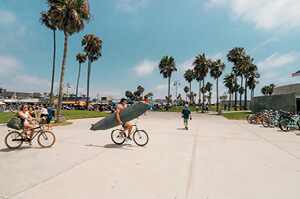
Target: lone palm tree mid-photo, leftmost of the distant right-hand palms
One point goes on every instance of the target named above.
(166, 68)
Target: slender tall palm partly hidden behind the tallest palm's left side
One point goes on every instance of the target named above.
(46, 20)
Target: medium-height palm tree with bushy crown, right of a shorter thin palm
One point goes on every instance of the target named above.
(93, 47)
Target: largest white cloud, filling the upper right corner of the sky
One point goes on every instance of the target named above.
(266, 15)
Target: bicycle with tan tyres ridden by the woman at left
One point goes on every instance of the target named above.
(14, 140)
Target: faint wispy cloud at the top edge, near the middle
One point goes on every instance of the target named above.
(131, 6)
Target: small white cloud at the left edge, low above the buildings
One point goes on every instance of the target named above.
(9, 65)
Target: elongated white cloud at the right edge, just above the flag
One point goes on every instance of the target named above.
(276, 60)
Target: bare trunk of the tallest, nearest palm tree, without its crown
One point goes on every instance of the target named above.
(61, 84)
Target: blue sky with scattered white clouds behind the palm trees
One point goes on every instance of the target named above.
(137, 34)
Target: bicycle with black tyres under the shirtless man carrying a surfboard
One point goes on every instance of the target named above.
(140, 137)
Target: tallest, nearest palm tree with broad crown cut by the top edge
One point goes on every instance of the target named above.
(69, 17)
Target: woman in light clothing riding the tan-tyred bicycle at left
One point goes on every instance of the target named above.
(25, 119)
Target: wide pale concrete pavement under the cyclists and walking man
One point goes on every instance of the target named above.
(216, 158)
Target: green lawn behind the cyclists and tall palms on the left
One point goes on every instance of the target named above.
(4, 117)
